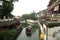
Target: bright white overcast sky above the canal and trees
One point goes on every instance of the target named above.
(27, 6)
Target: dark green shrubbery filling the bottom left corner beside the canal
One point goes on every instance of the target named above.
(8, 34)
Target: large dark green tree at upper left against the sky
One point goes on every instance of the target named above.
(7, 7)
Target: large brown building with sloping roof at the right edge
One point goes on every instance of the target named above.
(53, 11)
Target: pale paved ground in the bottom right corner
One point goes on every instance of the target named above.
(51, 32)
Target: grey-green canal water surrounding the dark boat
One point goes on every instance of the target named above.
(34, 35)
